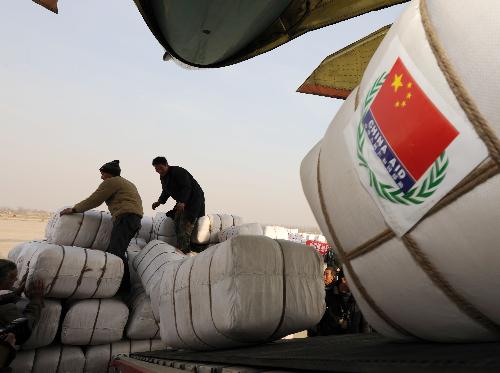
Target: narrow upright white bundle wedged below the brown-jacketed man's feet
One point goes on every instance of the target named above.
(141, 321)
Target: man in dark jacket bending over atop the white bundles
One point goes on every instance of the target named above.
(179, 184)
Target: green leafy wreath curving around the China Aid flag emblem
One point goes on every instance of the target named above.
(416, 195)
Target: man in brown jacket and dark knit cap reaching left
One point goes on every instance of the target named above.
(124, 204)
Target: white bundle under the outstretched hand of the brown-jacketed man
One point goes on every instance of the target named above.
(91, 229)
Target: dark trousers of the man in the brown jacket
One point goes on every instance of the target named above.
(124, 229)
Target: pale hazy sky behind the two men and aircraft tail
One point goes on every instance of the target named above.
(89, 85)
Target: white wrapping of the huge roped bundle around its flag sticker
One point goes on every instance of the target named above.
(416, 285)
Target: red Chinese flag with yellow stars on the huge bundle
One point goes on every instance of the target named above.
(413, 126)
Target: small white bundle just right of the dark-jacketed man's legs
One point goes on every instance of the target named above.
(207, 227)
